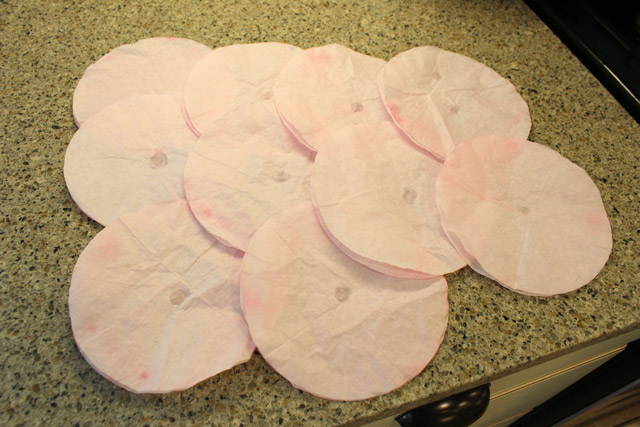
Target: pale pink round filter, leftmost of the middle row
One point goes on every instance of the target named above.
(129, 154)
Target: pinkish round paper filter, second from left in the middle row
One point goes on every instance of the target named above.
(246, 170)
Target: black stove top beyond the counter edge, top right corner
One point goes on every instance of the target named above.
(605, 36)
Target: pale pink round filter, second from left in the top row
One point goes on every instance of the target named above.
(231, 77)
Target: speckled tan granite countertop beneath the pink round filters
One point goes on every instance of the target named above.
(45, 48)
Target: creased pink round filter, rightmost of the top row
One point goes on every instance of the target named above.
(440, 98)
